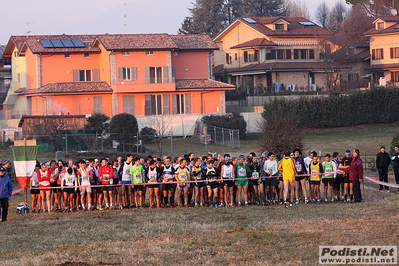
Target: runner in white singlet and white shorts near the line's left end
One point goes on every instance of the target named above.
(85, 174)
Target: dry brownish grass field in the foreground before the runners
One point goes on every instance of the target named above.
(252, 235)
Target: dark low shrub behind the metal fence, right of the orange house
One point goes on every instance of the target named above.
(229, 121)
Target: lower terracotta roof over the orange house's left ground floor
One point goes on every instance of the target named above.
(70, 87)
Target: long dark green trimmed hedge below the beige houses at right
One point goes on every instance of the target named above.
(370, 107)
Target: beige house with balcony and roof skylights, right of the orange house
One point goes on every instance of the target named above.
(264, 54)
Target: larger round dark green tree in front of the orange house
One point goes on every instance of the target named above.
(125, 128)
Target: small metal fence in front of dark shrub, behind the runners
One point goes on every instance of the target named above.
(211, 135)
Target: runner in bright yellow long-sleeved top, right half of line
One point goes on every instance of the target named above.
(287, 166)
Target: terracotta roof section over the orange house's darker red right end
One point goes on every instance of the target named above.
(194, 42)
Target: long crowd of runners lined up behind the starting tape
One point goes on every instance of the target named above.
(208, 181)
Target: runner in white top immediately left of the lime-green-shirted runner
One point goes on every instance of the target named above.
(126, 181)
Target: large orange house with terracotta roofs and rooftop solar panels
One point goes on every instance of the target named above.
(141, 74)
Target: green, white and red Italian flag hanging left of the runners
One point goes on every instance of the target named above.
(24, 163)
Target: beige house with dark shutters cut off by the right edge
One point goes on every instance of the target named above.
(384, 50)
